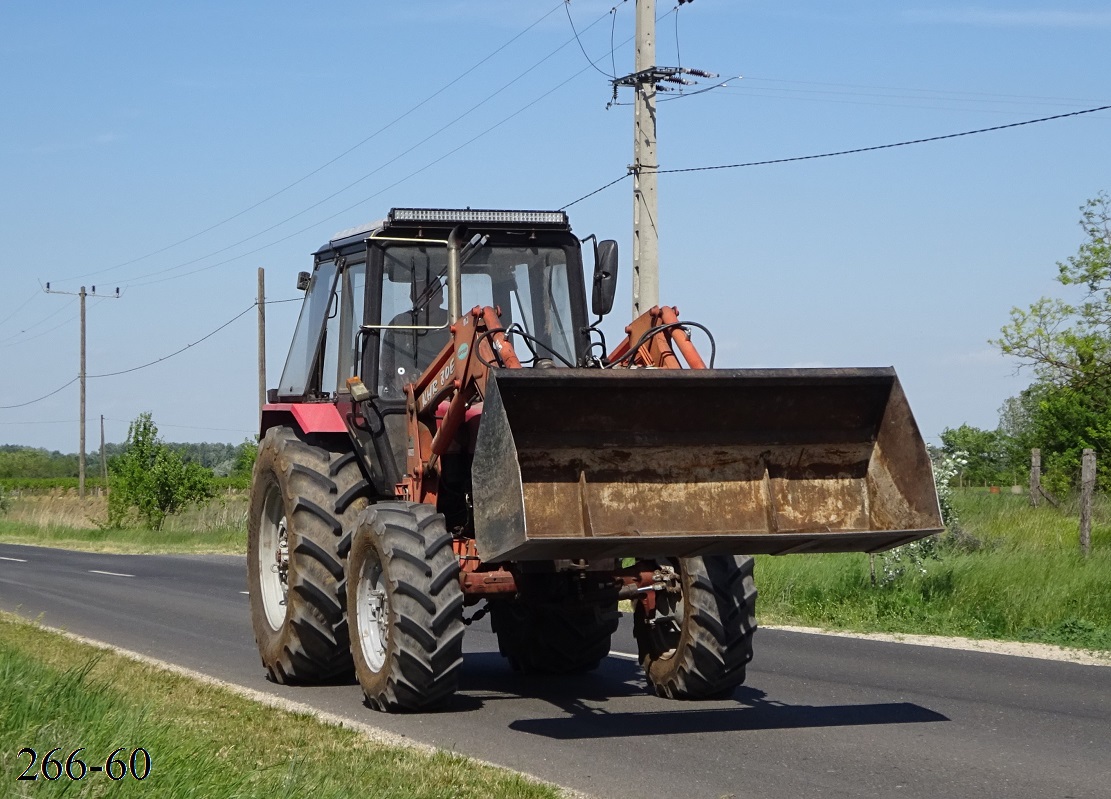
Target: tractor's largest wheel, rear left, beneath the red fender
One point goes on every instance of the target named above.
(306, 494)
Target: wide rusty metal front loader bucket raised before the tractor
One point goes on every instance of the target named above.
(656, 463)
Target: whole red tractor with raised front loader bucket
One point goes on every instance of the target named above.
(452, 431)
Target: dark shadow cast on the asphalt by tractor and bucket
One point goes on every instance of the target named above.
(583, 698)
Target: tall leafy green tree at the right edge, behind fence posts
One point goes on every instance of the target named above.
(1068, 345)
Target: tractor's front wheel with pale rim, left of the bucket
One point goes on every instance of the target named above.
(406, 607)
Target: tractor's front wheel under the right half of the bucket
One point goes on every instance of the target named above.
(700, 640)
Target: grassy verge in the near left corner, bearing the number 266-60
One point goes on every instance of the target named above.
(203, 741)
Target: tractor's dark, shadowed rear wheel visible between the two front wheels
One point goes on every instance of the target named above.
(553, 638)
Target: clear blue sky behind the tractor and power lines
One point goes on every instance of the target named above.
(173, 149)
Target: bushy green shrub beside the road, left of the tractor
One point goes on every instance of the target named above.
(153, 481)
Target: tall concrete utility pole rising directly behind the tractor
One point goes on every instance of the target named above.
(646, 236)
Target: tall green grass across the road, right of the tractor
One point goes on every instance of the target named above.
(1016, 575)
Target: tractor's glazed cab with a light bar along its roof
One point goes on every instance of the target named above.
(381, 298)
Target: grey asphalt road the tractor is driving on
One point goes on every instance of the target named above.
(819, 716)
